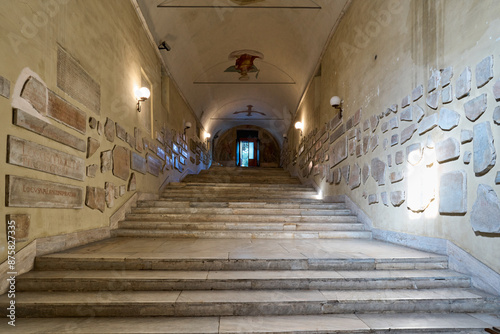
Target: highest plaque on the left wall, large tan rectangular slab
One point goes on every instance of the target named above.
(74, 80)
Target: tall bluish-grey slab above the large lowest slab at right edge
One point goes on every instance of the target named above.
(484, 148)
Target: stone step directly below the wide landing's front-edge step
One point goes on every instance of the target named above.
(162, 280)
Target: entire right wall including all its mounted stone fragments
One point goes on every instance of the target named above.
(416, 143)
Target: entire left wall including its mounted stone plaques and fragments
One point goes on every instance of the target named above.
(75, 147)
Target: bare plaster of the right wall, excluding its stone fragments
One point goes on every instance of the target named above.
(380, 52)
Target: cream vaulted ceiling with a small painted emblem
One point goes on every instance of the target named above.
(241, 62)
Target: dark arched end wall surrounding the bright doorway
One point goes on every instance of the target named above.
(225, 147)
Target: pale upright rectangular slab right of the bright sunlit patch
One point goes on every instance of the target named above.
(453, 193)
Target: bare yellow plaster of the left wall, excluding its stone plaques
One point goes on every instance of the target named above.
(109, 42)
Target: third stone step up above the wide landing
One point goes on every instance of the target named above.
(257, 205)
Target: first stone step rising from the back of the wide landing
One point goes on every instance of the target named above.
(242, 234)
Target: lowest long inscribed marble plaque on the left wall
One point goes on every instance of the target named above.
(31, 193)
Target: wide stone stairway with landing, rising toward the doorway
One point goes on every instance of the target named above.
(246, 251)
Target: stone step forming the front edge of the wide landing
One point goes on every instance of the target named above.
(152, 261)
